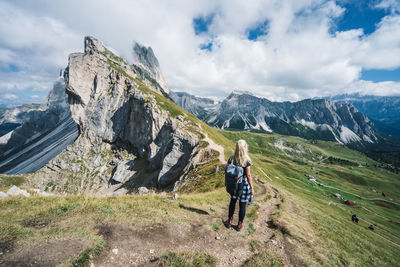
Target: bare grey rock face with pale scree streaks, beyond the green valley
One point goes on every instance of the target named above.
(312, 119)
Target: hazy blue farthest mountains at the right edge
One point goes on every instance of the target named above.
(383, 111)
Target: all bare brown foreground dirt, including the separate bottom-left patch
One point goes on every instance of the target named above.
(127, 245)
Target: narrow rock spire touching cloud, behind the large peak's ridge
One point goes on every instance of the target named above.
(146, 61)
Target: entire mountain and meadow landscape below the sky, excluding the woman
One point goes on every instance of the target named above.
(115, 169)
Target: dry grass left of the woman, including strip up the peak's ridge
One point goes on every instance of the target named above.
(62, 216)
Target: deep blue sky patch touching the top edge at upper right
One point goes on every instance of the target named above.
(360, 14)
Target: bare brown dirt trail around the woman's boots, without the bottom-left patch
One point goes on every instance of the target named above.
(129, 246)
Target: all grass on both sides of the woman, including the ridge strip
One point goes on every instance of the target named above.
(319, 224)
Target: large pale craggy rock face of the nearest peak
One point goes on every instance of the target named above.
(128, 138)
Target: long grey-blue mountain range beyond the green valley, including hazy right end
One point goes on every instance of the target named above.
(325, 119)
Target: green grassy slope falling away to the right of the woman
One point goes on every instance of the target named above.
(333, 238)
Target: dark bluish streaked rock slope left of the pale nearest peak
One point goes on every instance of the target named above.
(43, 135)
